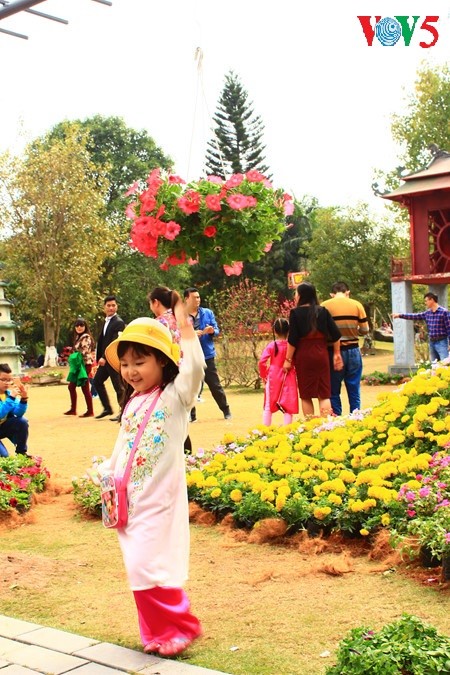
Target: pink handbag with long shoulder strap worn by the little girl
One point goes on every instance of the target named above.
(113, 489)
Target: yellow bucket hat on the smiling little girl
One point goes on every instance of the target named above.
(144, 331)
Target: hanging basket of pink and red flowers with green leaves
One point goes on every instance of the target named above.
(236, 220)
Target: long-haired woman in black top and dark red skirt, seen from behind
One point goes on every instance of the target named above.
(310, 326)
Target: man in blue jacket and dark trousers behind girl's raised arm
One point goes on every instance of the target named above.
(205, 325)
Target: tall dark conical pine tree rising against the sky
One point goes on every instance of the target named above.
(238, 134)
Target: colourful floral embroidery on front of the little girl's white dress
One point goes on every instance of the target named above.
(149, 450)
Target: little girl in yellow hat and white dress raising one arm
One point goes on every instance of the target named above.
(155, 541)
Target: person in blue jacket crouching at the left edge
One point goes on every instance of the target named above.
(13, 405)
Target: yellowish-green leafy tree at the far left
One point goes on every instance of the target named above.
(55, 236)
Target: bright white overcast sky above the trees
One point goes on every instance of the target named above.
(326, 99)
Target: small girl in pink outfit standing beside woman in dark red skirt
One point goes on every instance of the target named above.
(279, 388)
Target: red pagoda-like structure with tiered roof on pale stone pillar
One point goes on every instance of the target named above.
(426, 195)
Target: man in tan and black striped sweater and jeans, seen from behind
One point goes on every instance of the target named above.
(351, 320)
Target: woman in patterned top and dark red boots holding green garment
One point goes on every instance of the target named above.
(84, 345)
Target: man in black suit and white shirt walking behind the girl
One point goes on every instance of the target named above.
(111, 328)
